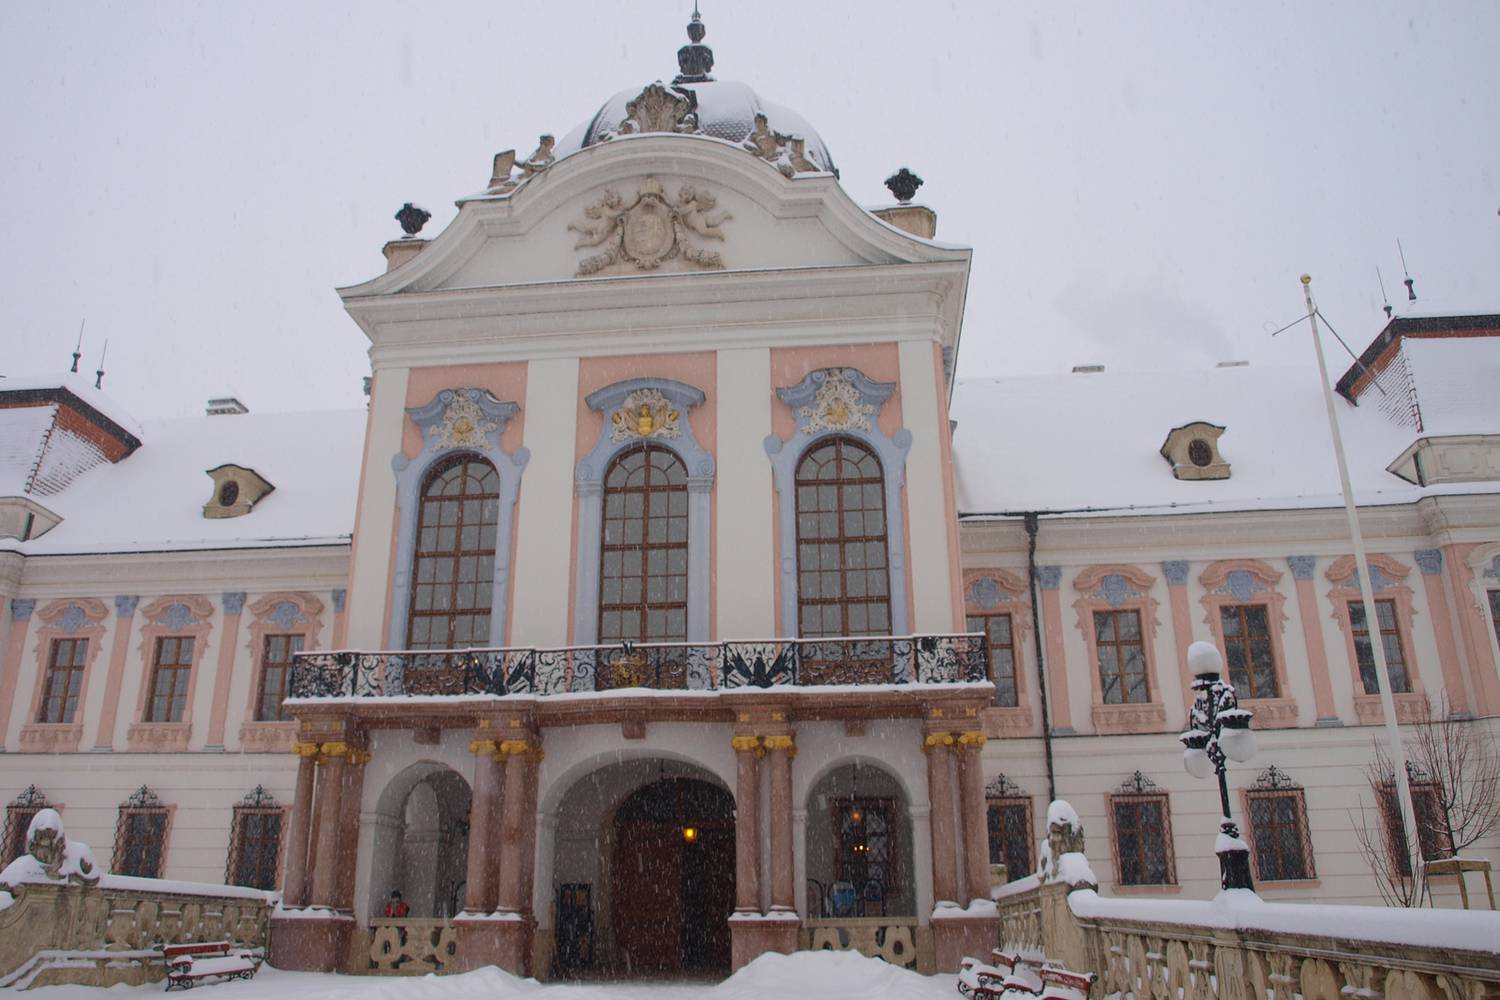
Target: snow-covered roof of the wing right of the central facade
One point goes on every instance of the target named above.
(1075, 443)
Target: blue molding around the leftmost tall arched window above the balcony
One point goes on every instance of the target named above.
(458, 421)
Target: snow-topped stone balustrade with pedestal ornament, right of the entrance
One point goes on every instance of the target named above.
(1238, 947)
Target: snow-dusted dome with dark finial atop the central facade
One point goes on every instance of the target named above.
(722, 109)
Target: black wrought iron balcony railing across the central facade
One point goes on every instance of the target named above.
(658, 666)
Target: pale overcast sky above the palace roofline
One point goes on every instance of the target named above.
(1142, 182)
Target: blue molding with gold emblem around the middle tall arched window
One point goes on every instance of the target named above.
(637, 413)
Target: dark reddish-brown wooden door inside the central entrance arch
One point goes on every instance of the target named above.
(647, 897)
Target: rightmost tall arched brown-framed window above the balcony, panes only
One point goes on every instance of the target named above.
(844, 578)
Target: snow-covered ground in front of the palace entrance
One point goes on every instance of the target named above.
(799, 977)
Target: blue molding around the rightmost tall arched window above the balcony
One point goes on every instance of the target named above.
(841, 403)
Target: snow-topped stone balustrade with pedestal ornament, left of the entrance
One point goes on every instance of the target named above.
(62, 921)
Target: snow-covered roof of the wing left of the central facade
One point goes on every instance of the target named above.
(154, 500)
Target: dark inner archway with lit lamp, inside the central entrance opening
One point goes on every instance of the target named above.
(674, 878)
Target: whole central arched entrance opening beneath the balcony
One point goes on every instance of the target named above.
(644, 872)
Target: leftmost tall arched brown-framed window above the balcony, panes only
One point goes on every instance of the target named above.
(454, 570)
